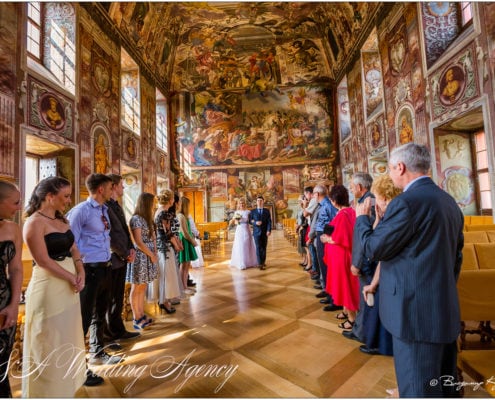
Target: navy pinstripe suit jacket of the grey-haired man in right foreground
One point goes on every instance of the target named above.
(419, 243)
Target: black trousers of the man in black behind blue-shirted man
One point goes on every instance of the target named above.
(115, 325)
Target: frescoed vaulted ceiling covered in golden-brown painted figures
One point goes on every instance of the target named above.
(241, 45)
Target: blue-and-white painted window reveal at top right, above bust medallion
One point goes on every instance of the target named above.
(440, 21)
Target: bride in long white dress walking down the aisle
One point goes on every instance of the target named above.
(243, 249)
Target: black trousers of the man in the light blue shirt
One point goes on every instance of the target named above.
(94, 304)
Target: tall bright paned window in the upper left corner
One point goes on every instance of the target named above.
(51, 40)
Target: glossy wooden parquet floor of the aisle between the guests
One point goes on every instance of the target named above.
(245, 334)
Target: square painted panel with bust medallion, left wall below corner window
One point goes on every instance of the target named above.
(49, 110)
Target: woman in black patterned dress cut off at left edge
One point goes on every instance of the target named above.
(10, 289)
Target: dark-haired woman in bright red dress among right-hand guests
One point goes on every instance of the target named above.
(341, 284)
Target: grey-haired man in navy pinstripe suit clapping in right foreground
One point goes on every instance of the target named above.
(419, 243)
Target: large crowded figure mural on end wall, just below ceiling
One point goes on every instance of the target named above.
(237, 129)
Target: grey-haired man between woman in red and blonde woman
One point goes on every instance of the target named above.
(360, 188)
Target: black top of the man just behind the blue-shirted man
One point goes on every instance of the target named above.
(120, 238)
